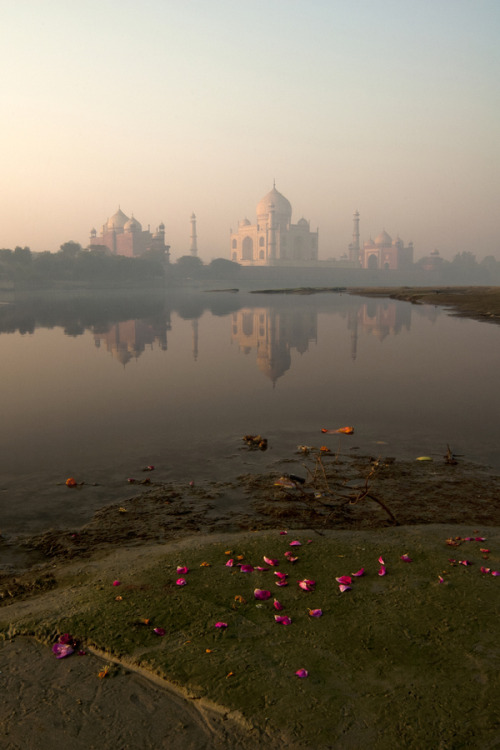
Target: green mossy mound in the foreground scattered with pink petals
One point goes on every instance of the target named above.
(398, 661)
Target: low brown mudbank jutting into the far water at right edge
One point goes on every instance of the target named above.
(477, 302)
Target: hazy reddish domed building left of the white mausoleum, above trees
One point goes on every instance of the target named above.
(125, 236)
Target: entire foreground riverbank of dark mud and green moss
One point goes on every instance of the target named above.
(384, 659)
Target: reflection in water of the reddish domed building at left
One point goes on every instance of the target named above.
(127, 339)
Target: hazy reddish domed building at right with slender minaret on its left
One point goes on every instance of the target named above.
(381, 253)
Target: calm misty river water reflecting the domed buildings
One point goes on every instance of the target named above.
(98, 389)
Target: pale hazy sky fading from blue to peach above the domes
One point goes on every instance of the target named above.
(165, 107)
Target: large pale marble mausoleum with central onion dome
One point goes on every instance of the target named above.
(274, 240)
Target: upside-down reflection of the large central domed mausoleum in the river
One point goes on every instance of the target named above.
(273, 334)
